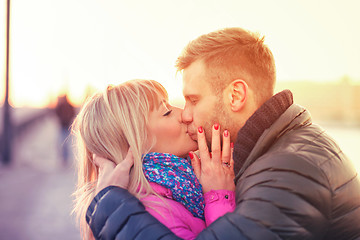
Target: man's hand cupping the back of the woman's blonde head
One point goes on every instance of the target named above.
(111, 174)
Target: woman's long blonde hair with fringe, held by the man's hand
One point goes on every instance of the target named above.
(107, 125)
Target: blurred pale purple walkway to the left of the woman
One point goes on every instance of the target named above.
(35, 190)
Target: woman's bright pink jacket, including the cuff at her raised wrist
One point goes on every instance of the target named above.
(178, 219)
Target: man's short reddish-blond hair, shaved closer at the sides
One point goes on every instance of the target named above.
(233, 53)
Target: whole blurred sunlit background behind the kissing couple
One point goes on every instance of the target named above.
(60, 52)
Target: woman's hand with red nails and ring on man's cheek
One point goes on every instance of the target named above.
(214, 170)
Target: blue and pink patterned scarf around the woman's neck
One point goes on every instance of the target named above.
(176, 174)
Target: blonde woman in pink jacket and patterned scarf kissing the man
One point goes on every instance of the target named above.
(136, 115)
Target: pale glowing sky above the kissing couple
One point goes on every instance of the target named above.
(74, 44)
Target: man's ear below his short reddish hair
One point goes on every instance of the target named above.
(238, 92)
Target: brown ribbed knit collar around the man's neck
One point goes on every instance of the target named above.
(254, 127)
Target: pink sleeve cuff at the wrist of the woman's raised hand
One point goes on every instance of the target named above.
(217, 204)
